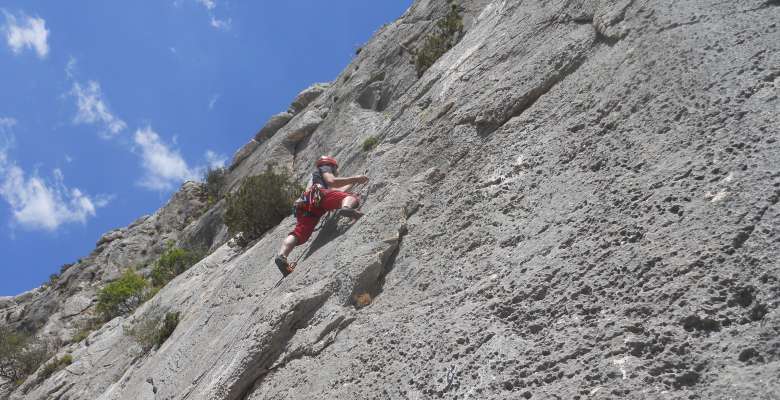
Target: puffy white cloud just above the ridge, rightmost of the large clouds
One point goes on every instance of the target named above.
(164, 168)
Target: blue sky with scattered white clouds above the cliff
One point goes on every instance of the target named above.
(106, 107)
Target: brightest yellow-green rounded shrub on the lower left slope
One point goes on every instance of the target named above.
(121, 296)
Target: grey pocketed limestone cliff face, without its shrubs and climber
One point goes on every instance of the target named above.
(578, 200)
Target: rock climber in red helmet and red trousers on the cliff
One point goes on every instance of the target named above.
(325, 192)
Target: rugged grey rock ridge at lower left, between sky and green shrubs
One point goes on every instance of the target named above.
(58, 310)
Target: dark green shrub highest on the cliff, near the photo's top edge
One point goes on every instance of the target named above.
(448, 32)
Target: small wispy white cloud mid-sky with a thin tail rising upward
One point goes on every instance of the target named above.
(92, 109)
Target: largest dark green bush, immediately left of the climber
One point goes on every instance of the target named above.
(260, 203)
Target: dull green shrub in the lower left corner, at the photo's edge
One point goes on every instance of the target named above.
(20, 356)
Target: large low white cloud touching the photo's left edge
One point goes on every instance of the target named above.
(39, 204)
